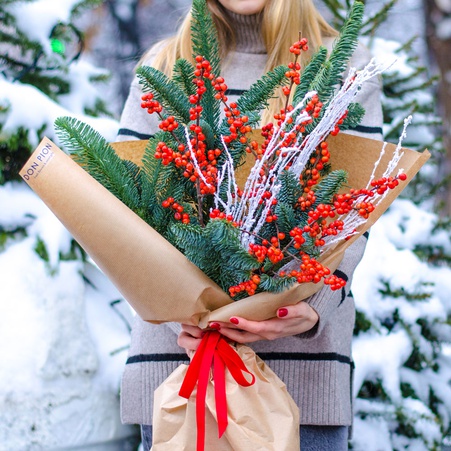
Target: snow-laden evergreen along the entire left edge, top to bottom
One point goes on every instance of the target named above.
(61, 341)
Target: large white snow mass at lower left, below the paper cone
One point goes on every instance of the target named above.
(66, 346)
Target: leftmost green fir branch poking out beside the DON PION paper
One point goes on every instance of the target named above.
(96, 156)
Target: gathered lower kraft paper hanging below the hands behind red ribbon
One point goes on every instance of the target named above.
(260, 417)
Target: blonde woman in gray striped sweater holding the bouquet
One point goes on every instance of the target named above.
(308, 344)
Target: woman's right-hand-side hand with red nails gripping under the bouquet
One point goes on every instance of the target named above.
(290, 320)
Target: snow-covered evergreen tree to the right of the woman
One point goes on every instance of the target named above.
(403, 333)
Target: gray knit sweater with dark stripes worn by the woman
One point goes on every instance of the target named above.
(316, 366)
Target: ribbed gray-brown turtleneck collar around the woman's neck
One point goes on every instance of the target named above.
(247, 32)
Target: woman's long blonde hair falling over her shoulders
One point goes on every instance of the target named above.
(282, 22)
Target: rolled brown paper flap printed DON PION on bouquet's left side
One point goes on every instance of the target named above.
(159, 282)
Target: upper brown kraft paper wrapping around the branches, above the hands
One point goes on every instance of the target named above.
(153, 276)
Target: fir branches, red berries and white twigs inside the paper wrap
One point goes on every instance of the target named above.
(292, 210)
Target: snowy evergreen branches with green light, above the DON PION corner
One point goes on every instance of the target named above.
(42, 61)
